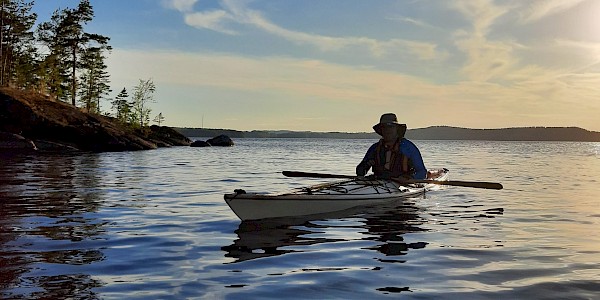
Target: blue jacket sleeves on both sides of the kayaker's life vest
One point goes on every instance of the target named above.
(407, 148)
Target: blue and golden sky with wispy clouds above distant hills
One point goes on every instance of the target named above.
(333, 65)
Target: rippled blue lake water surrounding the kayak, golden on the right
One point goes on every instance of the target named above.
(154, 225)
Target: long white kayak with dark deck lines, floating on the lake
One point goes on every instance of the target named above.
(327, 197)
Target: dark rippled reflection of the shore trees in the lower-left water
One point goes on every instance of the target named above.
(45, 222)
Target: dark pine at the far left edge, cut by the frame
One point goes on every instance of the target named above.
(16, 41)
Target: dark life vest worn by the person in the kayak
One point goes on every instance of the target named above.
(390, 162)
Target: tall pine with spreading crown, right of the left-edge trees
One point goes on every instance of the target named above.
(67, 42)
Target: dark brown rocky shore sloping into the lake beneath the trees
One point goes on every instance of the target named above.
(33, 122)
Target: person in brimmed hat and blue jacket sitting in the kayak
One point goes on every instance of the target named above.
(393, 156)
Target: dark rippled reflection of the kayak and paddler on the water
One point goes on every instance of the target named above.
(272, 237)
